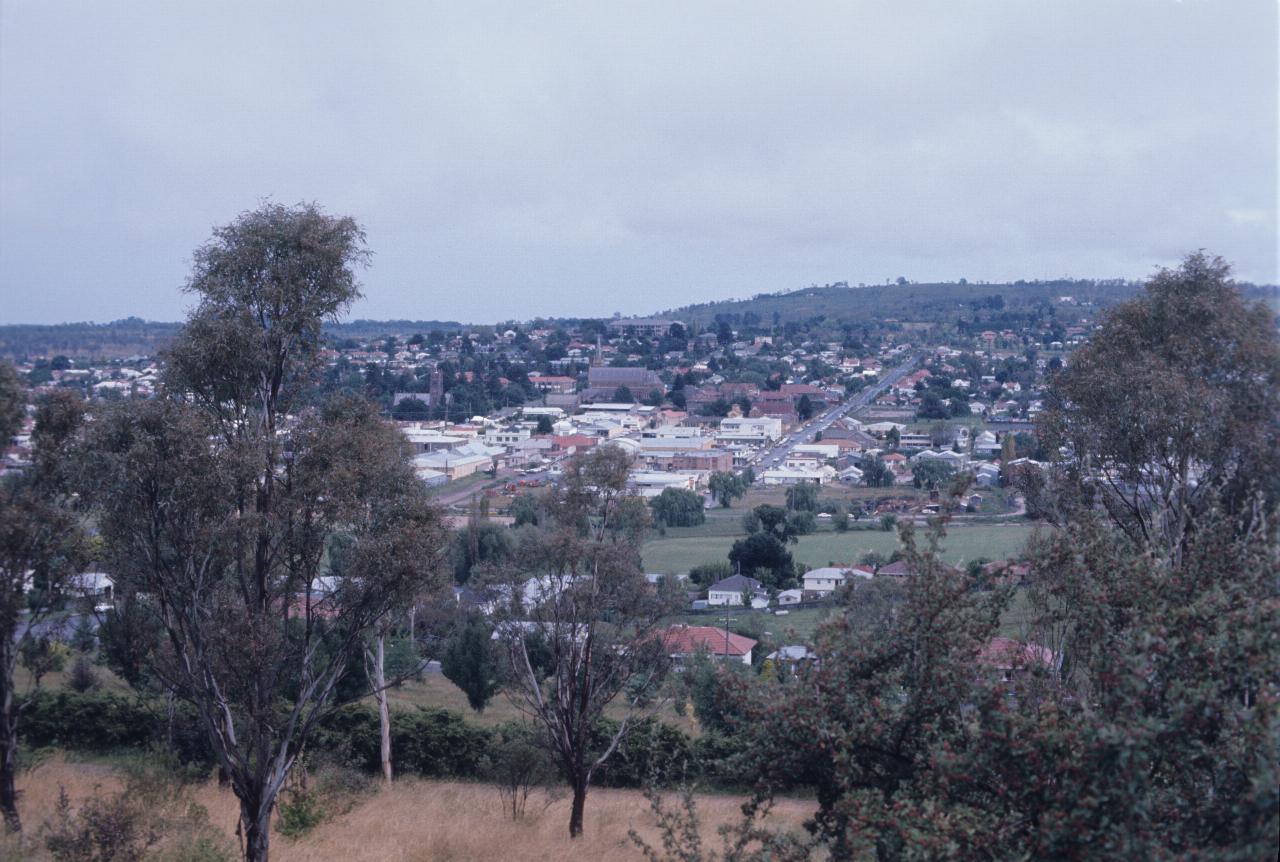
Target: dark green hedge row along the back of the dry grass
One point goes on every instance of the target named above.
(432, 744)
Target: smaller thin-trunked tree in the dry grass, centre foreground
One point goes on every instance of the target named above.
(579, 586)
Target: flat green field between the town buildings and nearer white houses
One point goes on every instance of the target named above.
(679, 554)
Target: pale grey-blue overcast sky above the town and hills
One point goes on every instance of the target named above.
(527, 159)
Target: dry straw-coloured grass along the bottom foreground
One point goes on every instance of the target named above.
(414, 822)
